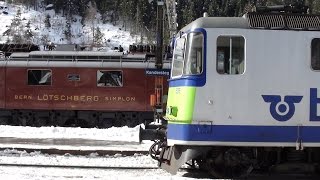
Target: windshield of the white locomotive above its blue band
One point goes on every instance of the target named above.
(188, 55)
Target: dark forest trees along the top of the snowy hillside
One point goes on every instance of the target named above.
(144, 11)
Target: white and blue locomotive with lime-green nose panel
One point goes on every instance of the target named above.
(244, 93)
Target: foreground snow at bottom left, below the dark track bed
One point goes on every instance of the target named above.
(46, 173)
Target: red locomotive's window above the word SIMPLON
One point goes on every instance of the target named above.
(109, 78)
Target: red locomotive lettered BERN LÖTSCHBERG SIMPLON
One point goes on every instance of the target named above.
(77, 88)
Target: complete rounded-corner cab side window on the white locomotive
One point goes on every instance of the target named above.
(230, 55)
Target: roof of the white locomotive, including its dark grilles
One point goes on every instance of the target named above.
(253, 20)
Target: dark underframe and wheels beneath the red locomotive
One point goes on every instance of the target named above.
(74, 118)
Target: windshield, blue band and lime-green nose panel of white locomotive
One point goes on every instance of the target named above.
(186, 75)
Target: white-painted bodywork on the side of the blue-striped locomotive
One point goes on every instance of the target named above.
(277, 62)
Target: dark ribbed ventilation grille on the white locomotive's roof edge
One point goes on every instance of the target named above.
(284, 21)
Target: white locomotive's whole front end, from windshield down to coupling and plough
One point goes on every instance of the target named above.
(187, 75)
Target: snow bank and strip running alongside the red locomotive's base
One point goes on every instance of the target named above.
(102, 138)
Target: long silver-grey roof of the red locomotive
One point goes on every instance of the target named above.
(47, 59)
